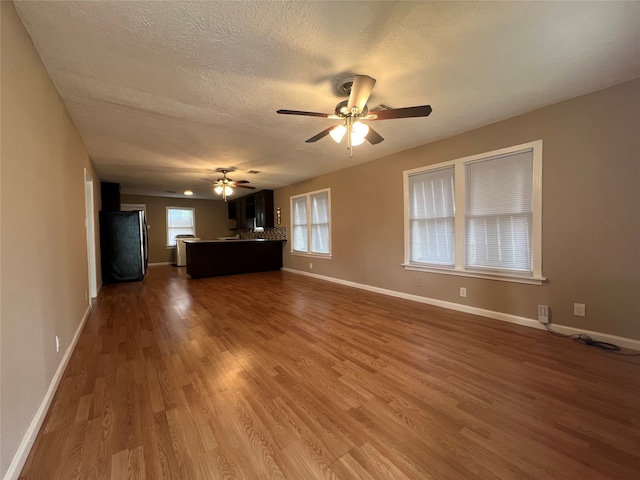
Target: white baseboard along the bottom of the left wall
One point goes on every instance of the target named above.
(19, 459)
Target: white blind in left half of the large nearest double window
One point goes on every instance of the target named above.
(432, 217)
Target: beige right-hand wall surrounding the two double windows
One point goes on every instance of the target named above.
(591, 196)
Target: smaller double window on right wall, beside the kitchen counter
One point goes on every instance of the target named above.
(311, 223)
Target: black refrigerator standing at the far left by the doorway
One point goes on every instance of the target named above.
(123, 245)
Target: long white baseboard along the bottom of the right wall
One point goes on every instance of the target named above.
(505, 317)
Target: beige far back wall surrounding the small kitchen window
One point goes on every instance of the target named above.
(211, 221)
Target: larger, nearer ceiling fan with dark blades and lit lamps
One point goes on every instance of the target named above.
(351, 112)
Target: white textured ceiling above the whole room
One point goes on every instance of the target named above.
(164, 92)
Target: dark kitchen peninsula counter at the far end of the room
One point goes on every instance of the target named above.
(207, 258)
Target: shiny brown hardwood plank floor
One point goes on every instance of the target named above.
(280, 376)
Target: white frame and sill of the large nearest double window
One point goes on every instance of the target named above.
(459, 268)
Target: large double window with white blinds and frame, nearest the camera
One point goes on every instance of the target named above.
(477, 216)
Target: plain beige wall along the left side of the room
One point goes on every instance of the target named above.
(44, 261)
